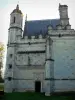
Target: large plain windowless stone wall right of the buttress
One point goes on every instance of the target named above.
(64, 60)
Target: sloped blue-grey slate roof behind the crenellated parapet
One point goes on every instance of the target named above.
(36, 27)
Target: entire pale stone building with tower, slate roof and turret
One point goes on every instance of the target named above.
(42, 57)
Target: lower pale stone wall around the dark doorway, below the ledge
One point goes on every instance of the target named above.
(25, 79)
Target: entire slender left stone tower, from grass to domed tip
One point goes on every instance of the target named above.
(15, 29)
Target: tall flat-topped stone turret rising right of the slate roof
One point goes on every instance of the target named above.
(64, 20)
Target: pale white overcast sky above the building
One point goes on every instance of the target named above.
(35, 9)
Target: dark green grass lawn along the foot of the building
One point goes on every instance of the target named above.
(36, 96)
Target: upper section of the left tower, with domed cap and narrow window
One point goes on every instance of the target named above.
(15, 29)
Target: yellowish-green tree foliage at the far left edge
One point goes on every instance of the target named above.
(1, 58)
